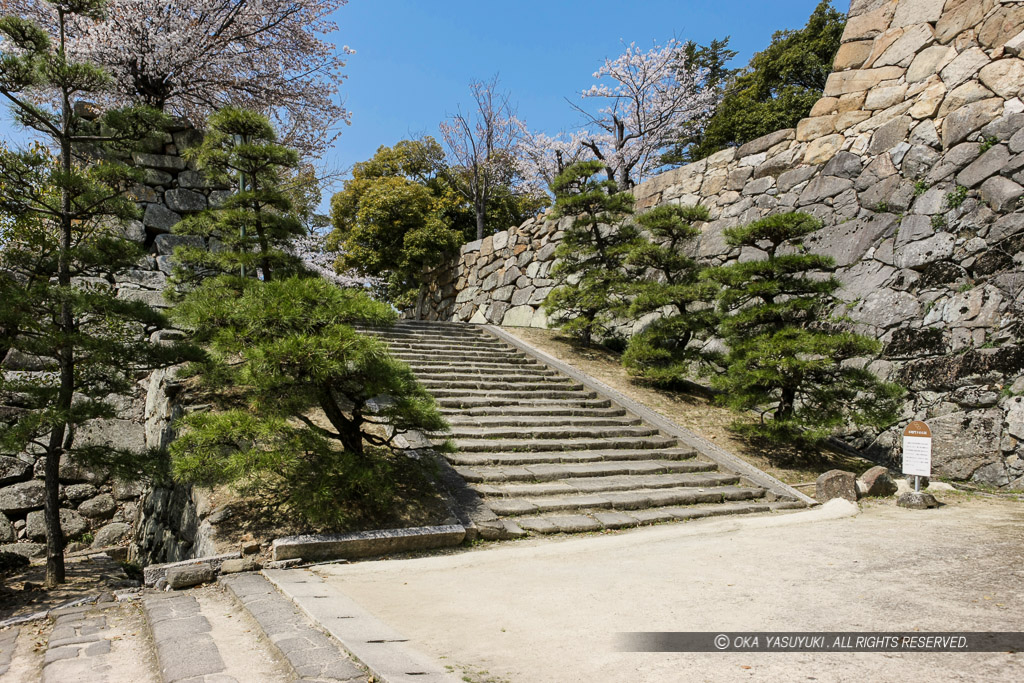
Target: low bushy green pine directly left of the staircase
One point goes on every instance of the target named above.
(308, 409)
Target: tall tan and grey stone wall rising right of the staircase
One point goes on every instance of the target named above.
(914, 159)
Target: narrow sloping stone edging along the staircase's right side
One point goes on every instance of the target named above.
(723, 458)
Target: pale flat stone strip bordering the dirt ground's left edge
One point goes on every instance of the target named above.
(376, 646)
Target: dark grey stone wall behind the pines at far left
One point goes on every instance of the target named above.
(159, 525)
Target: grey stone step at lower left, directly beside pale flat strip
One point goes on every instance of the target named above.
(311, 654)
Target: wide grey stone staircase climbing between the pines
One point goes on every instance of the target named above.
(547, 455)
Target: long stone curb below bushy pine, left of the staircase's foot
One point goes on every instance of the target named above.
(367, 544)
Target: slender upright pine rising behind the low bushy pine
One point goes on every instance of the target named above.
(253, 227)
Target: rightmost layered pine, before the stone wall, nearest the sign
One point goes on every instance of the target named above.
(787, 357)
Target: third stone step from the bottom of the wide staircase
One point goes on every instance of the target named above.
(598, 485)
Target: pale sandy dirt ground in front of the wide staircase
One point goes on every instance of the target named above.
(549, 610)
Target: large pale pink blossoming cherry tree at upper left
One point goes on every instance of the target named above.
(191, 58)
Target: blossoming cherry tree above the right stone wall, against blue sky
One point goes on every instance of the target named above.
(651, 98)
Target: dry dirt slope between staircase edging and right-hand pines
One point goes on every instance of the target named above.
(699, 414)
